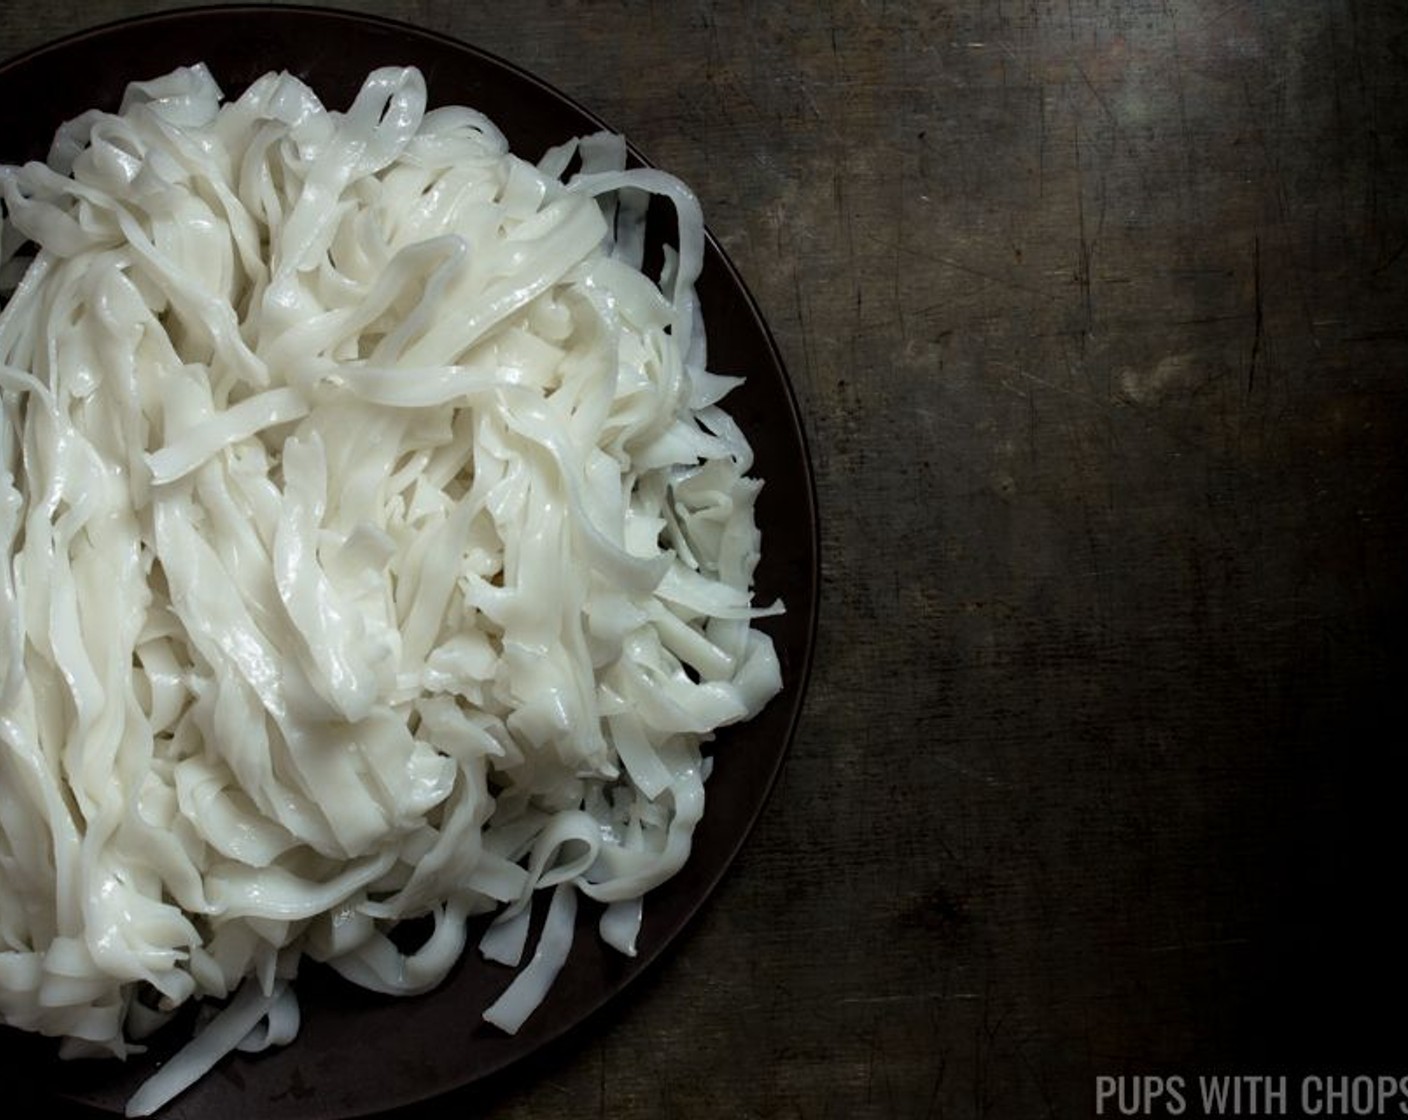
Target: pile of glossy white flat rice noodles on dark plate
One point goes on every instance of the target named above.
(377, 549)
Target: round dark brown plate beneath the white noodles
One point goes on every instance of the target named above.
(358, 1054)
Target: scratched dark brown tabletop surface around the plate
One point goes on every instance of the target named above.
(1096, 313)
